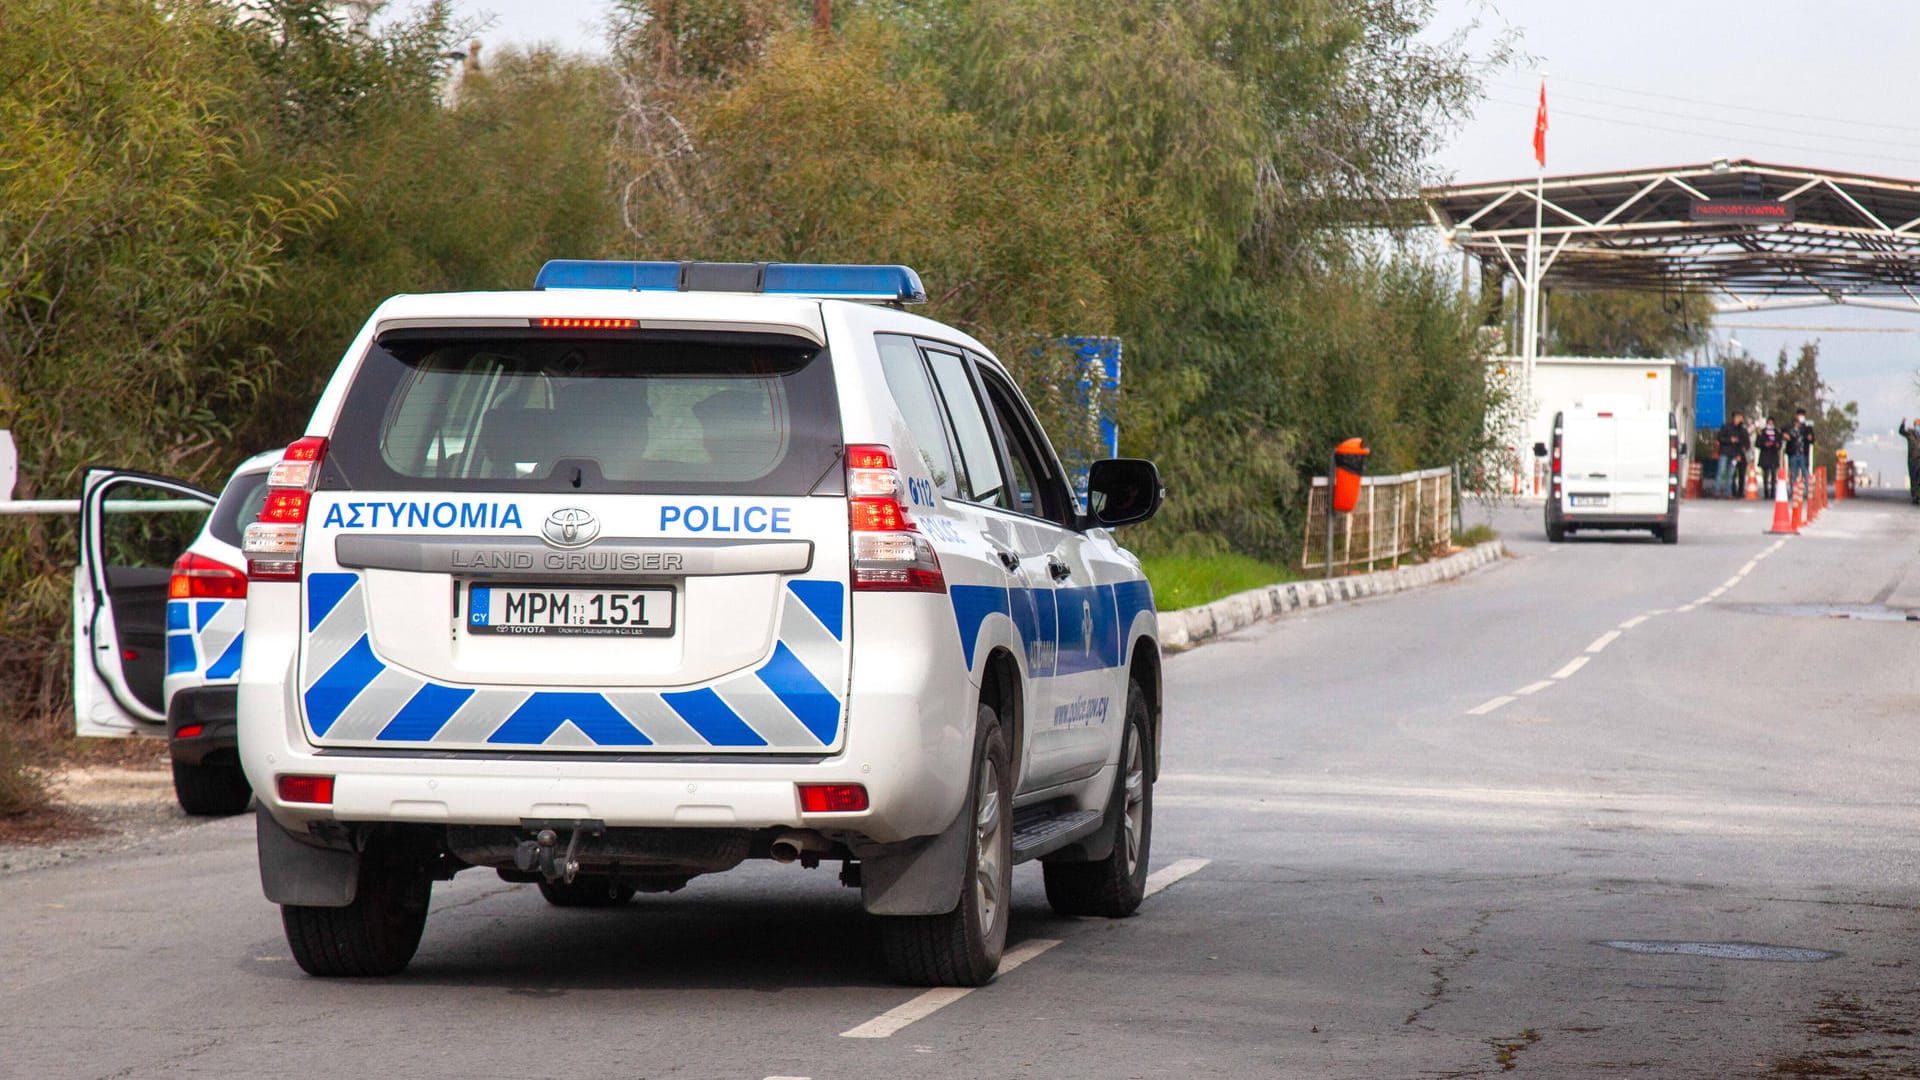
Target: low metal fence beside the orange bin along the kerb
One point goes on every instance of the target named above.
(1395, 516)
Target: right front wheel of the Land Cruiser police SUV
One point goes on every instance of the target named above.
(1116, 885)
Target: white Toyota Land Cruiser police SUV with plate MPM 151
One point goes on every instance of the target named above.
(661, 568)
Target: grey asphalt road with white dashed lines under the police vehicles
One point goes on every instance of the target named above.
(1422, 823)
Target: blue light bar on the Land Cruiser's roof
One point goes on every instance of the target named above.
(821, 282)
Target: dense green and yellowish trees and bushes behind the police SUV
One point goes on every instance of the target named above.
(201, 203)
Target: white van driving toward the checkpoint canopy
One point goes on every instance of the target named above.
(1616, 466)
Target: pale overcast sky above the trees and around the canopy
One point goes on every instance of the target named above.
(1635, 84)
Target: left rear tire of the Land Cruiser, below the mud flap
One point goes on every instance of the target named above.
(375, 935)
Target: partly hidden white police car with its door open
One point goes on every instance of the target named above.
(156, 631)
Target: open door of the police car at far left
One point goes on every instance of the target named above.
(133, 528)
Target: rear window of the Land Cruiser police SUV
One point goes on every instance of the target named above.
(625, 412)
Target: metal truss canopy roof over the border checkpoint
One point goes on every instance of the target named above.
(1756, 235)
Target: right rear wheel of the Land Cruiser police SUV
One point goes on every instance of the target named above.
(963, 946)
